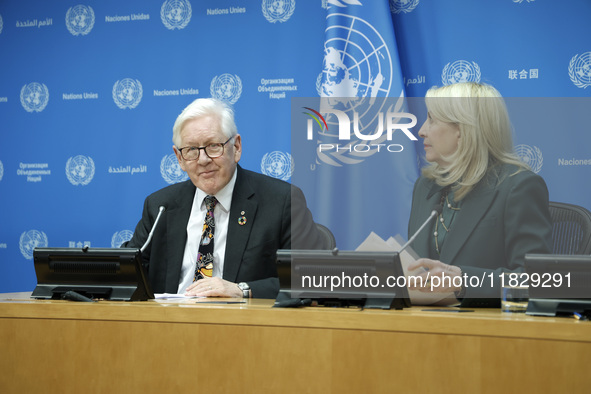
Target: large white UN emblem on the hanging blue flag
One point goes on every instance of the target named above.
(356, 78)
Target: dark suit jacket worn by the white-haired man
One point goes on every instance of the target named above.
(250, 256)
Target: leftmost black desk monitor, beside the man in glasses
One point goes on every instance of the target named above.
(97, 273)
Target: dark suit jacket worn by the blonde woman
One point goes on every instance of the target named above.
(504, 217)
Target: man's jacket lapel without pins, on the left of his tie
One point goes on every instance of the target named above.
(176, 223)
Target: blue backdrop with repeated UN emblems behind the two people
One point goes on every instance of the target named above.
(89, 93)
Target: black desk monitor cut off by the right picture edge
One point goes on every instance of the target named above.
(558, 284)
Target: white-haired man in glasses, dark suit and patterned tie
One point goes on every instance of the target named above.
(221, 229)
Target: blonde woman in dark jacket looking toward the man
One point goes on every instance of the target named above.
(494, 210)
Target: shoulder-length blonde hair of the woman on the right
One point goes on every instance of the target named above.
(485, 134)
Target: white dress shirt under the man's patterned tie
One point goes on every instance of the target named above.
(221, 214)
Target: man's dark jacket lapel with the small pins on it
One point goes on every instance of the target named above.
(243, 205)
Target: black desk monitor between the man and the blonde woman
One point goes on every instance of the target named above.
(343, 278)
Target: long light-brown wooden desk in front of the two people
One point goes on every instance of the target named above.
(189, 346)
